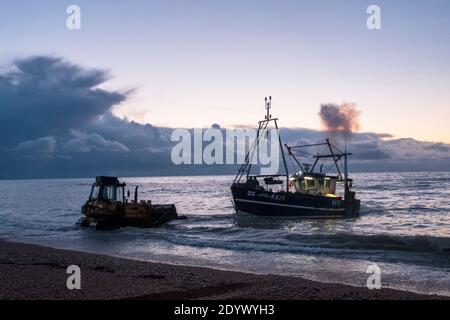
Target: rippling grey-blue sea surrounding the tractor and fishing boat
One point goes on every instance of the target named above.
(404, 229)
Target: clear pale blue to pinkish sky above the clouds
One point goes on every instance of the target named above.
(195, 63)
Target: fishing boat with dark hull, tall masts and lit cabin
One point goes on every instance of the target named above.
(308, 193)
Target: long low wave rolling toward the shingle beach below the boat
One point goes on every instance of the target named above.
(279, 240)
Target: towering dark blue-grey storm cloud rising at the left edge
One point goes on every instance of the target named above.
(46, 96)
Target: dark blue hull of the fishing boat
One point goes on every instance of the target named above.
(266, 203)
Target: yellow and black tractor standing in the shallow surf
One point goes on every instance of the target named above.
(109, 209)
